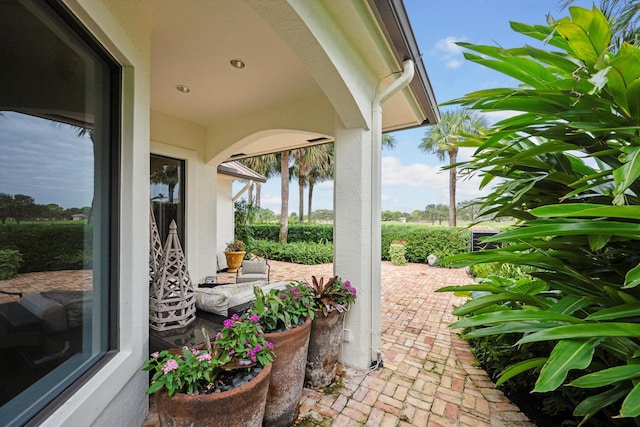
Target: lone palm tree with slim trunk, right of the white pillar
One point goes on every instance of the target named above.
(443, 138)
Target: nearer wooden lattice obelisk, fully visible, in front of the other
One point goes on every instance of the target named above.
(172, 300)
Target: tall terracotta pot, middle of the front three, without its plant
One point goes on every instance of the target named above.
(287, 375)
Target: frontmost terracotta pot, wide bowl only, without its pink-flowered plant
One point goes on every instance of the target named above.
(242, 406)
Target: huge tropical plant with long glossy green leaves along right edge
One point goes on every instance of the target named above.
(567, 166)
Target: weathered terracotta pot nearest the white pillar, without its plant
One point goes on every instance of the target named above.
(324, 348)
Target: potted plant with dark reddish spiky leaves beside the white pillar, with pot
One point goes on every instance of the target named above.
(332, 301)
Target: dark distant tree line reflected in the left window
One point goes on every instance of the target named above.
(21, 207)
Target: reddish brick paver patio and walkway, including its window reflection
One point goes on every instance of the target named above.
(429, 376)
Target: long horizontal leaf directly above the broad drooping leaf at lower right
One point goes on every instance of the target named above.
(610, 329)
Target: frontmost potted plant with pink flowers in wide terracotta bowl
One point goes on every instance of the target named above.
(224, 382)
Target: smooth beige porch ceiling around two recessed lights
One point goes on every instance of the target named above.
(192, 44)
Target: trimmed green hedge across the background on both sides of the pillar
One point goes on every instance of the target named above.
(421, 240)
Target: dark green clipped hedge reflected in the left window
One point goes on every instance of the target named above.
(49, 246)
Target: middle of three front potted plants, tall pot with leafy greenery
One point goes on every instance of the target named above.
(286, 318)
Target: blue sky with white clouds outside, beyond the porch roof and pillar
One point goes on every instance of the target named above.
(411, 179)
